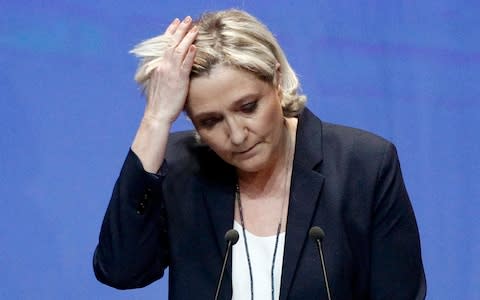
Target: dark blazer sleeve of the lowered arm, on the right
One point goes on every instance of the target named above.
(396, 263)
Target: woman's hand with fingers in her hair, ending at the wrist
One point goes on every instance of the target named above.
(168, 85)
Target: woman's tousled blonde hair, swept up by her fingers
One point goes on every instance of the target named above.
(232, 38)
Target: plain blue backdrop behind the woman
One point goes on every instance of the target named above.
(406, 70)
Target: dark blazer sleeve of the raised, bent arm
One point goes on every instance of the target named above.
(132, 250)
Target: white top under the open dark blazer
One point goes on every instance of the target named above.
(261, 256)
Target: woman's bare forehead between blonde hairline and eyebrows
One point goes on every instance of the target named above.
(221, 87)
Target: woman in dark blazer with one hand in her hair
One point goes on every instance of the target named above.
(258, 162)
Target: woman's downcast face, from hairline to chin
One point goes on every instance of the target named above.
(239, 116)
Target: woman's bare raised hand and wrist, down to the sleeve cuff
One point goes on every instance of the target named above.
(166, 93)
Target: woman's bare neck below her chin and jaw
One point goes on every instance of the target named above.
(273, 176)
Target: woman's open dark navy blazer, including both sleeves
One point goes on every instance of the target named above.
(345, 180)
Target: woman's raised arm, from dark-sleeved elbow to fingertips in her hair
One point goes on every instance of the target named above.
(133, 245)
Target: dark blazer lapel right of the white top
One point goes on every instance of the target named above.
(305, 192)
